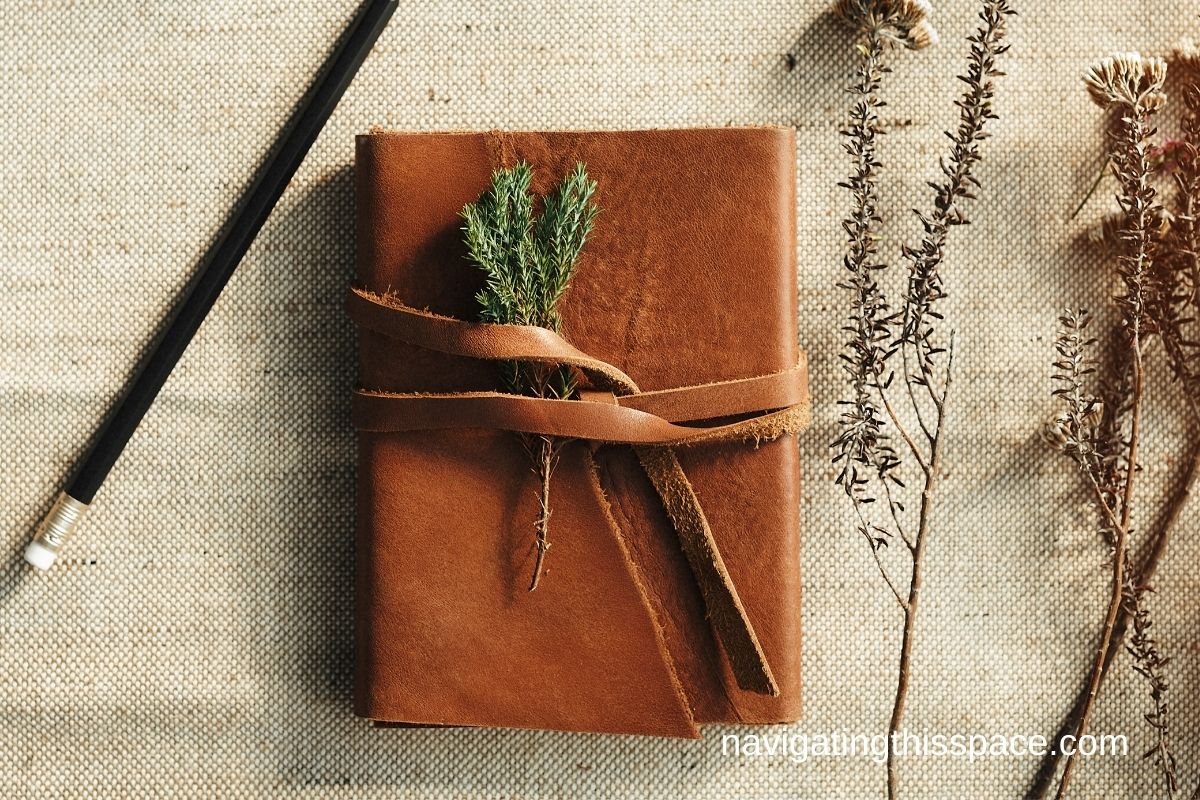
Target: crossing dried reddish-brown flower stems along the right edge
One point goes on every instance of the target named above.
(1155, 290)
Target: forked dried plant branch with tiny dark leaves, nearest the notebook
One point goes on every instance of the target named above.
(869, 464)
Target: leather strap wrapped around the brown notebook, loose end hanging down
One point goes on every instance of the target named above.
(611, 411)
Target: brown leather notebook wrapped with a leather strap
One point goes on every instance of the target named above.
(688, 280)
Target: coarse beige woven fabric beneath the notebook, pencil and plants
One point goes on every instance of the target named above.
(197, 640)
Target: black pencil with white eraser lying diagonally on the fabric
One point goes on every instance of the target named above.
(215, 272)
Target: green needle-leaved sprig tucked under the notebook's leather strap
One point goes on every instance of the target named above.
(529, 262)
